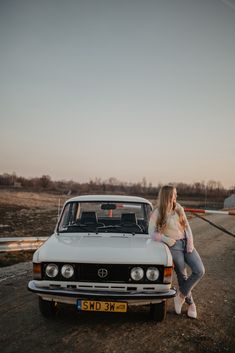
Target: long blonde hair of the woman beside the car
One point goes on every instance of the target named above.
(164, 201)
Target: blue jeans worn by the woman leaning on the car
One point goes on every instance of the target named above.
(193, 260)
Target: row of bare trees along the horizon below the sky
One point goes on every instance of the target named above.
(212, 190)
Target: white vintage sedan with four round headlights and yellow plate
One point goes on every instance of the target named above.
(101, 258)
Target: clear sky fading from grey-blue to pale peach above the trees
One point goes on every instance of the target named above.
(128, 89)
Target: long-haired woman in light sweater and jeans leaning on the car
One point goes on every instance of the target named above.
(168, 223)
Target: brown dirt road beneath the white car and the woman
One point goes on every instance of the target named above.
(23, 329)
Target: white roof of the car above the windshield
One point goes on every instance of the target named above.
(112, 198)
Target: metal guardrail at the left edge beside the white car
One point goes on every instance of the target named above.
(18, 244)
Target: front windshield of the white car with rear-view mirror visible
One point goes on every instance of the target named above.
(104, 217)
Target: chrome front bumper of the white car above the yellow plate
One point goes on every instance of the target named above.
(130, 296)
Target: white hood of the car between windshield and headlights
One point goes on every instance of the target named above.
(103, 248)
